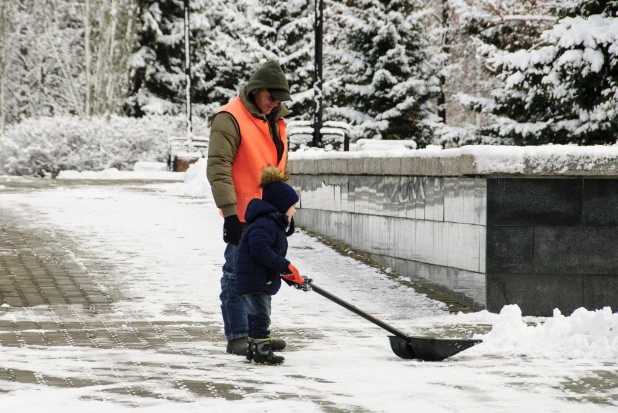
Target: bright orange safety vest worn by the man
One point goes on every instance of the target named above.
(256, 151)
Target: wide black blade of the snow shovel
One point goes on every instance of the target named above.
(429, 349)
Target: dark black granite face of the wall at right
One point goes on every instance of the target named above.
(551, 243)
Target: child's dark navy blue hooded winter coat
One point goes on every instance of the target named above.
(260, 258)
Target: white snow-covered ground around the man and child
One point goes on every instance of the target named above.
(162, 245)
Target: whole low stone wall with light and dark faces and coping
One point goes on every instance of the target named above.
(485, 238)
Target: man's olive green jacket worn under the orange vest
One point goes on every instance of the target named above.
(224, 142)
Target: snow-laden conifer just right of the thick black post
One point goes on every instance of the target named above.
(383, 72)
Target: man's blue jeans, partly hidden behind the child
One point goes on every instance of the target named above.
(233, 307)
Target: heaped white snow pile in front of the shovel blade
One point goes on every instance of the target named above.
(583, 334)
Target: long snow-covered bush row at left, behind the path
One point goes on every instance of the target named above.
(48, 145)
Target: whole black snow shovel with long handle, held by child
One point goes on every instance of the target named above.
(404, 346)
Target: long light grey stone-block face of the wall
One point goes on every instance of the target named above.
(431, 229)
